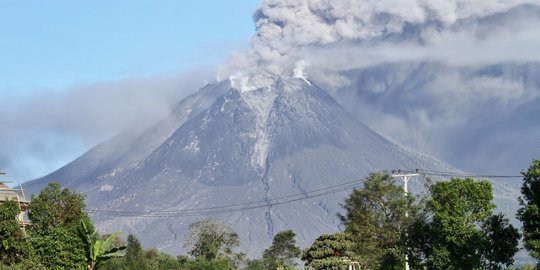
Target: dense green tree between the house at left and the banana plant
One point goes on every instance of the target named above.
(56, 215)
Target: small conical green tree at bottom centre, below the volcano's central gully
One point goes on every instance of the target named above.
(283, 251)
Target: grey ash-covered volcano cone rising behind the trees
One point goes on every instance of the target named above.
(235, 147)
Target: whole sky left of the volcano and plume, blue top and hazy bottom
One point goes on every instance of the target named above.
(65, 64)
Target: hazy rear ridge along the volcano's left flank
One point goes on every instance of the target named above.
(127, 149)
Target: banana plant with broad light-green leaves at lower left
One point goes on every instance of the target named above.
(100, 250)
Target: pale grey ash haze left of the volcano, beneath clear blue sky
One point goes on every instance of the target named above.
(43, 130)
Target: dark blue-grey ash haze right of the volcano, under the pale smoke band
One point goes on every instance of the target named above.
(479, 118)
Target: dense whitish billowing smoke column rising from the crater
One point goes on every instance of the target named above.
(286, 28)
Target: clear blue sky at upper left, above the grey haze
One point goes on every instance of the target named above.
(52, 45)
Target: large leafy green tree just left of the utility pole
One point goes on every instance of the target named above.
(376, 218)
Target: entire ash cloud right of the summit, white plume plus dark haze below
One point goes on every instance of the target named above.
(481, 70)
